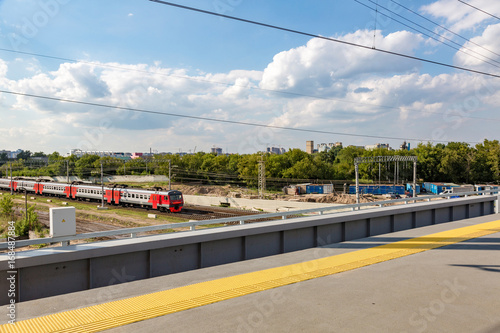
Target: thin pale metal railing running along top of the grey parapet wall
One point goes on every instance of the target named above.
(242, 219)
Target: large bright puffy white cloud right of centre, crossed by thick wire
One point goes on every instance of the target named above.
(321, 66)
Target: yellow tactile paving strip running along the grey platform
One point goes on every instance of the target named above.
(113, 314)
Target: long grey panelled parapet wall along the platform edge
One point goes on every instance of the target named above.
(53, 271)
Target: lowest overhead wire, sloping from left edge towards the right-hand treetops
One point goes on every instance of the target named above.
(220, 120)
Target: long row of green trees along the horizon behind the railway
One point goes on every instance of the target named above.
(456, 162)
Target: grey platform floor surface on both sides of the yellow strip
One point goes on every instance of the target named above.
(450, 289)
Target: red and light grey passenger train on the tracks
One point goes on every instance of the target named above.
(168, 201)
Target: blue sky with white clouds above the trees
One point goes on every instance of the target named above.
(135, 75)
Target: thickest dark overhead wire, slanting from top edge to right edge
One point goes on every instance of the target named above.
(325, 38)
